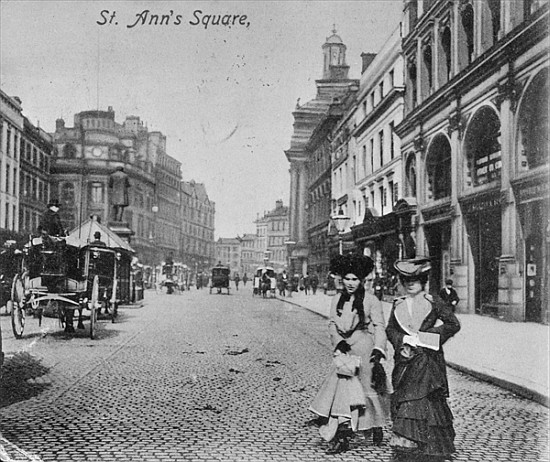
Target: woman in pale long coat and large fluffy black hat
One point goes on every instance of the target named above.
(357, 328)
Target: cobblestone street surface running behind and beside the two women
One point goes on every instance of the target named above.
(200, 377)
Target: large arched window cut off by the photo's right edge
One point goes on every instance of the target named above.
(533, 123)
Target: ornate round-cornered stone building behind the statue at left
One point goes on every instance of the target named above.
(86, 154)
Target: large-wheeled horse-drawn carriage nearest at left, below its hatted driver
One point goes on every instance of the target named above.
(63, 274)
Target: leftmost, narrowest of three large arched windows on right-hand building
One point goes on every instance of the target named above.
(438, 169)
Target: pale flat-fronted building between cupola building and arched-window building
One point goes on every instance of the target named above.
(379, 216)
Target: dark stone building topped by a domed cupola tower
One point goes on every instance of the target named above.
(310, 159)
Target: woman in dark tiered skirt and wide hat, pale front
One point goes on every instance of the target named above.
(418, 327)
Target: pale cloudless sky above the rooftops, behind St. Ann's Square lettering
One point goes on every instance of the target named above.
(222, 94)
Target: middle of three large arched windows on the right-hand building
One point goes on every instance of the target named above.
(482, 145)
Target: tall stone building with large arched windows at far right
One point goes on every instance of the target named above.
(475, 149)
